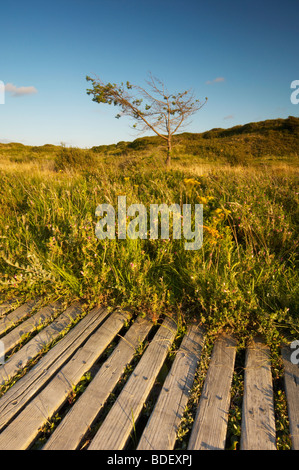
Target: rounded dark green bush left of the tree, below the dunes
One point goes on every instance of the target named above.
(72, 158)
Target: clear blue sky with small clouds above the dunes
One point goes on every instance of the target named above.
(242, 55)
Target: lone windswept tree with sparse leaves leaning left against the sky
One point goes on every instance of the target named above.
(156, 109)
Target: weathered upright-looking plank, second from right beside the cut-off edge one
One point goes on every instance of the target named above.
(258, 419)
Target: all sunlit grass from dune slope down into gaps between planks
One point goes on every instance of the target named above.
(244, 278)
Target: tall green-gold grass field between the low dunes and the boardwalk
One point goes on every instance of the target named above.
(245, 276)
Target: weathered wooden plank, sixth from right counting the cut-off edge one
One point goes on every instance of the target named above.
(81, 416)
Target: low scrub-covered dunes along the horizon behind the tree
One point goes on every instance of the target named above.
(255, 142)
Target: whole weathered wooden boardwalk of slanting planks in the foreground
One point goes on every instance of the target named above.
(49, 348)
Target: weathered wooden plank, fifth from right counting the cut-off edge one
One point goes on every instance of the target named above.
(116, 428)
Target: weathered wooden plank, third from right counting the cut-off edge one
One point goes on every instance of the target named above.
(210, 425)
